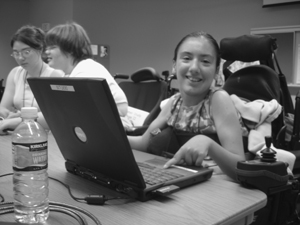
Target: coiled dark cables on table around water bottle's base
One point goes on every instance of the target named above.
(73, 211)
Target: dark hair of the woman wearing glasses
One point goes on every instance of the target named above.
(31, 36)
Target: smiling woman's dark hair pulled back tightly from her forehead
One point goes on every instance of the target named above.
(200, 34)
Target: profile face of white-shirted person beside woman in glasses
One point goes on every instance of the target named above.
(56, 58)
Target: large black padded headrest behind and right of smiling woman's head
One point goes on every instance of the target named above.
(248, 48)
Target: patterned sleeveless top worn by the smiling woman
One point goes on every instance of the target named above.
(196, 119)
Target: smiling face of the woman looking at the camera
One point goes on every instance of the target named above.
(195, 66)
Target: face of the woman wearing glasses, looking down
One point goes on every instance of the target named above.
(25, 56)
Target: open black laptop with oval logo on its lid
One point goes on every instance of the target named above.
(85, 123)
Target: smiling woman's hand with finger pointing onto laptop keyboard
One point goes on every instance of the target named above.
(192, 152)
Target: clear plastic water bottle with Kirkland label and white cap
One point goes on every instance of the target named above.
(30, 163)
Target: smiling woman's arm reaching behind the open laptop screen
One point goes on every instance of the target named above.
(141, 142)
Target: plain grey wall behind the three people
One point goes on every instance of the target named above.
(141, 33)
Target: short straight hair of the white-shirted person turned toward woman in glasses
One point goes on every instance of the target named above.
(72, 39)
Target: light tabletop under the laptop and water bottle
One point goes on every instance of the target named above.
(216, 201)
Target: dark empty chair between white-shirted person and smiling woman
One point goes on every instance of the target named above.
(145, 90)
